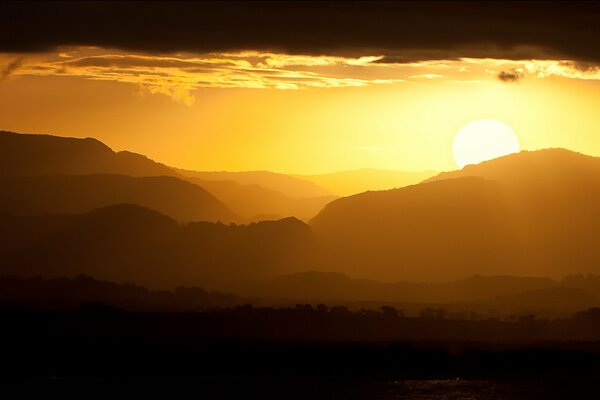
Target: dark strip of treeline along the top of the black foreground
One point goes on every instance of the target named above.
(302, 323)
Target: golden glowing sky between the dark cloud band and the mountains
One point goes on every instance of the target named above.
(294, 114)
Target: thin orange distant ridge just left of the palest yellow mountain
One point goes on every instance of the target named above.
(288, 185)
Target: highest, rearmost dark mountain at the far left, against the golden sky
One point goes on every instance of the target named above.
(31, 155)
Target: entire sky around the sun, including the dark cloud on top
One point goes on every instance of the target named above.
(297, 88)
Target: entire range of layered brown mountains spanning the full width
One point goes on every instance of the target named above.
(71, 206)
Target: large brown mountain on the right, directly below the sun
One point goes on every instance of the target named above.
(531, 213)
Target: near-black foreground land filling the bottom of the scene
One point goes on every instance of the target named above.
(287, 354)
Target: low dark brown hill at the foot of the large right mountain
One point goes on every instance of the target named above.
(488, 295)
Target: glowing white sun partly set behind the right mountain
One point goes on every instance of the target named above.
(483, 140)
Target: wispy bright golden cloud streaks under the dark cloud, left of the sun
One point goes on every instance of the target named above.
(177, 76)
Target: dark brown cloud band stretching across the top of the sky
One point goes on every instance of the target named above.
(402, 31)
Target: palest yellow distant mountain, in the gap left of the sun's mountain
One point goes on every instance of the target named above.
(347, 183)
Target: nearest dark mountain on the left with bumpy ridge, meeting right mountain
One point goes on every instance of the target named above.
(129, 243)
